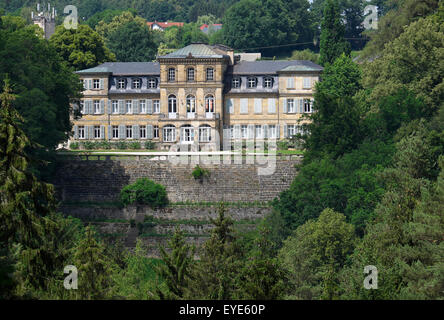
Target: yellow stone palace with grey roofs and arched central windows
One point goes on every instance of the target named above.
(191, 95)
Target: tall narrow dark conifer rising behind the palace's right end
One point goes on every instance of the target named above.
(333, 43)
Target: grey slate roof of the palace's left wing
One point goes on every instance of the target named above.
(126, 68)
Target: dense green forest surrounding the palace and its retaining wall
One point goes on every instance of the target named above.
(370, 190)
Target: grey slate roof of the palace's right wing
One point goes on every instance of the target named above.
(273, 67)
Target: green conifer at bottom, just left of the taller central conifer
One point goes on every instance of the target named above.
(176, 266)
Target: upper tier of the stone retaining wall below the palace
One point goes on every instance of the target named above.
(102, 180)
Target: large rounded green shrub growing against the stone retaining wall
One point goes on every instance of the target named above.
(144, 192)
